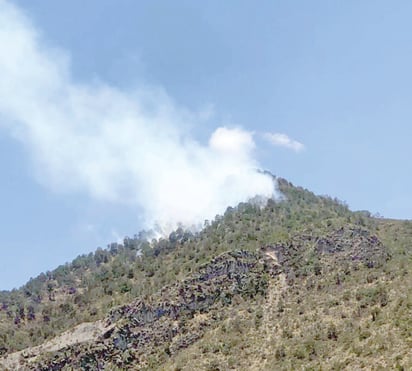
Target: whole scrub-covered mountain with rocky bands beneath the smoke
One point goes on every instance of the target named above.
(301, 283)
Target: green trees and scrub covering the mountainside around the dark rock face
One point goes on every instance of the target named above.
(333, 312)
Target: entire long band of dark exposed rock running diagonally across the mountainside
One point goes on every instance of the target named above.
(179, 314)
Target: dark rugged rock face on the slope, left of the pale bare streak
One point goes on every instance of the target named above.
(170, 319)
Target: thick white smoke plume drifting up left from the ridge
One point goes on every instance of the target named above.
(117, 146)
